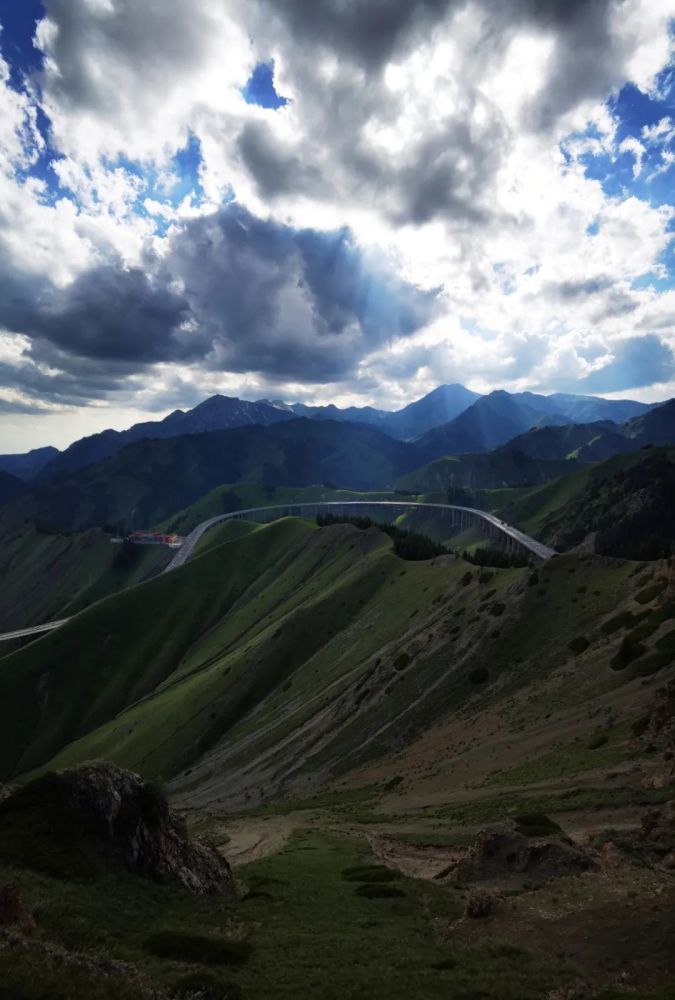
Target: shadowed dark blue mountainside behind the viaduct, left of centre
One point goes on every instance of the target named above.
(149, 481)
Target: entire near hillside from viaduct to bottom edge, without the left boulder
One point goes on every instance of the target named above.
(372, 744)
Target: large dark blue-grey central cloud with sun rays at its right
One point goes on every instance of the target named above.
(282, 302)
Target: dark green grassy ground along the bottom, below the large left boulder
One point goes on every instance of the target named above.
(312, 935)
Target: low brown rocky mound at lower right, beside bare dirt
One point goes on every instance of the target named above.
(502, 856)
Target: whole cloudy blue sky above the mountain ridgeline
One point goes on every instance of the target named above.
(347, 201)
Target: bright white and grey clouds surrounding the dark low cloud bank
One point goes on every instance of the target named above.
(450, 139)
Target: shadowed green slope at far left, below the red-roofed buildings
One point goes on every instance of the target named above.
(44, 576)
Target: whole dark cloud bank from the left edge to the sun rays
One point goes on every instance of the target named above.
(256, 296)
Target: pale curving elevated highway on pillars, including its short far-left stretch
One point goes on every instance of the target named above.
(463, 515)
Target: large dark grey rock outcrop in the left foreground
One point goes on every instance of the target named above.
(115, 814)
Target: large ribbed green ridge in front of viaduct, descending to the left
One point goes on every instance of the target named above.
(273, 662)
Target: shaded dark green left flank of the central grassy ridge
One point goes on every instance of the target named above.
(120, 649)
